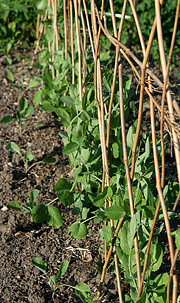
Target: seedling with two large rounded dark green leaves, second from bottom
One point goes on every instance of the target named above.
(39, 213)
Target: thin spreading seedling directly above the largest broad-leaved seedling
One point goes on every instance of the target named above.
(13, 147)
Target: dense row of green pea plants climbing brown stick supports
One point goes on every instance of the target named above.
(118, 177)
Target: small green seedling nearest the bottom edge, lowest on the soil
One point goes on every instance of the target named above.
(80, 288)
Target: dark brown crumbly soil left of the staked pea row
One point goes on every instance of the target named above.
(20, 239)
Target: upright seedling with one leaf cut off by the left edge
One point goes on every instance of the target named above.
(23, 114)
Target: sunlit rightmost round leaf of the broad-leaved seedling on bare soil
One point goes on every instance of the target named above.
(54, 217)
